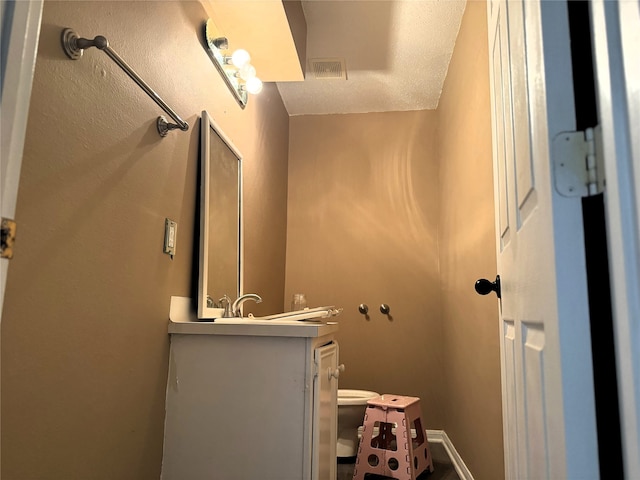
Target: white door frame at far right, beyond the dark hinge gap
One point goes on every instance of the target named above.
(616, 38)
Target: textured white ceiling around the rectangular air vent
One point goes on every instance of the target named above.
(396, 55)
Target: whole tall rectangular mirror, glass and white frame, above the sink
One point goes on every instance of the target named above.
(220, 220)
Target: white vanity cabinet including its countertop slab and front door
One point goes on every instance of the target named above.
(251, 402)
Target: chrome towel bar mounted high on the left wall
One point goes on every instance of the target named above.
(74, 46)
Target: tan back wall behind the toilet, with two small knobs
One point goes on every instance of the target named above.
(363, 228)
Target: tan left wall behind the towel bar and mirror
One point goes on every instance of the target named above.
(84, 326)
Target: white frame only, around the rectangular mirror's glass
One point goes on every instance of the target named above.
(209, 127)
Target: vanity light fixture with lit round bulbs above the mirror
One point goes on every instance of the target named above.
(235, 68)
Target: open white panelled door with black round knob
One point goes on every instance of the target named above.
(547, 378)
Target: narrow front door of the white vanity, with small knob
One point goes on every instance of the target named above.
(325, 412)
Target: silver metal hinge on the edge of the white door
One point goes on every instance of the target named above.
(578, 163)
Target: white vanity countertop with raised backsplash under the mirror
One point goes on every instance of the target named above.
(183, 321)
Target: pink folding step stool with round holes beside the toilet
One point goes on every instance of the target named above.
(383, 452)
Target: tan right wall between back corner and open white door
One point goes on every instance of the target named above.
(467, 252)
